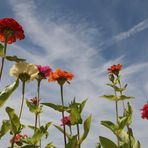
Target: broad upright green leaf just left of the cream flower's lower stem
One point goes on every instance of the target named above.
(14, 120)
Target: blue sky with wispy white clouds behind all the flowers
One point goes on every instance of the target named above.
(84, 37)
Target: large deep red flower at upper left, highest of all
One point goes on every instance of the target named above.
(11, 29)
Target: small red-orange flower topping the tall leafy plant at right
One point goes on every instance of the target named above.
(115, 69)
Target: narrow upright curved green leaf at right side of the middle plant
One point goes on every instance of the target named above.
(86, 127)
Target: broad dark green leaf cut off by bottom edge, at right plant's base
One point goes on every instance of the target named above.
(107, 143)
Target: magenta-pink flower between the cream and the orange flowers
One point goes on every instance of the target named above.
(44, 71)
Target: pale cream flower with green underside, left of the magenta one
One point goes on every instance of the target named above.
(24, 71)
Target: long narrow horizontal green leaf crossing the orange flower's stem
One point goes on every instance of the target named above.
(59, 108)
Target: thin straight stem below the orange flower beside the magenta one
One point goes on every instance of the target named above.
(62, 100)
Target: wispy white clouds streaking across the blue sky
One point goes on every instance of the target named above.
(66, 48)
